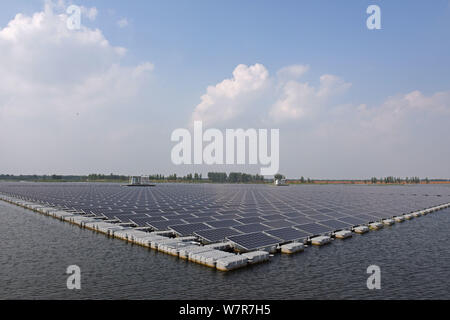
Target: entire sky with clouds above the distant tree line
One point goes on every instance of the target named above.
(349, 102)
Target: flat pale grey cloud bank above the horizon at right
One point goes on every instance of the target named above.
(405, 135)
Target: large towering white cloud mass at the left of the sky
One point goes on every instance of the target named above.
(63, 91)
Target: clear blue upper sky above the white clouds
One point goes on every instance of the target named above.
(201, 41)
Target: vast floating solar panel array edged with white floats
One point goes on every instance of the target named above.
(228, 226)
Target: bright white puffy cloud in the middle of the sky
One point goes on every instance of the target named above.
(278, 99)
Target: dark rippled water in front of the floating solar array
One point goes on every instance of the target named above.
(35, 251)
